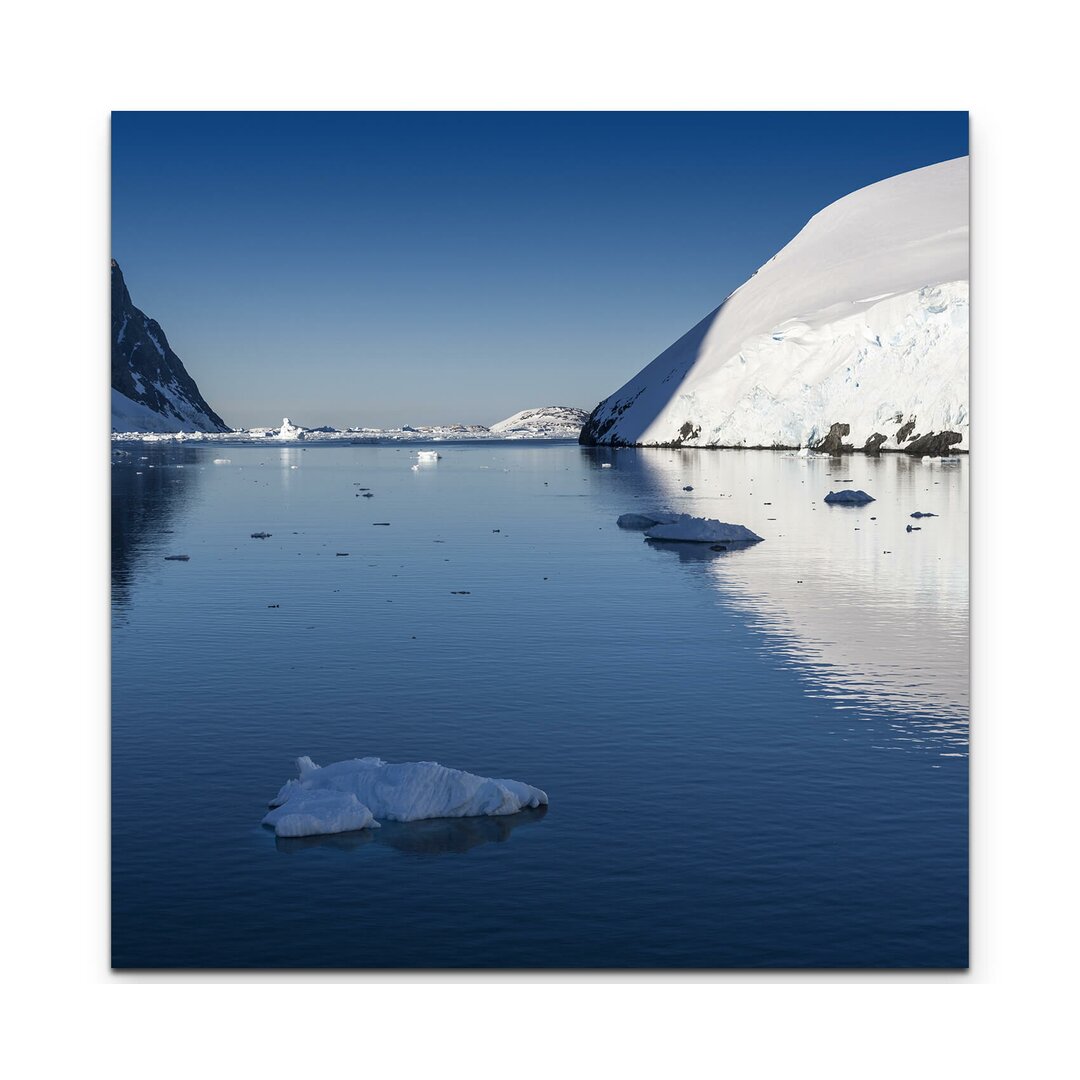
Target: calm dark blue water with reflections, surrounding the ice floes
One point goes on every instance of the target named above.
(754, 759)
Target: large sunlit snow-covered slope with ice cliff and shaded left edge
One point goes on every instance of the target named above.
(855, 335)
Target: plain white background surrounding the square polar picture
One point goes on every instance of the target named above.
(66, 66)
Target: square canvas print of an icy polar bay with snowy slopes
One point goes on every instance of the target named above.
(539, 541)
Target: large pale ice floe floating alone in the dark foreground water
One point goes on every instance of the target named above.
(353, 795)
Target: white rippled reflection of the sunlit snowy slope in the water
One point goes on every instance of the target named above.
(871, 613)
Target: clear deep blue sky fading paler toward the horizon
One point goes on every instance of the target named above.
(366, 268)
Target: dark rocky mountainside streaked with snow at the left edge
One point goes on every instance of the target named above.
(152, 391)
